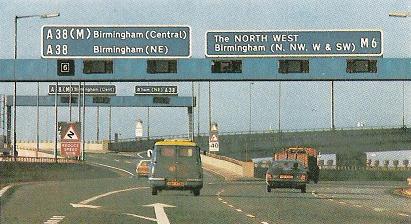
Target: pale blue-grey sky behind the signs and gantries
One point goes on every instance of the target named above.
(305, 105)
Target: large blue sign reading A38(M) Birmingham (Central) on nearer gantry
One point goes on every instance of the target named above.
(97, 41)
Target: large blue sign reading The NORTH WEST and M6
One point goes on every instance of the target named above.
(293, 43)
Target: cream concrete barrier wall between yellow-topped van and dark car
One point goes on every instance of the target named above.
(228, 165)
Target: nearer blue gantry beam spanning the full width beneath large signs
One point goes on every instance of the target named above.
(250, 69)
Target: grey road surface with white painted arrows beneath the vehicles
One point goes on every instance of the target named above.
(128, 199)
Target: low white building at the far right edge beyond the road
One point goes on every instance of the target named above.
(399, 158)
